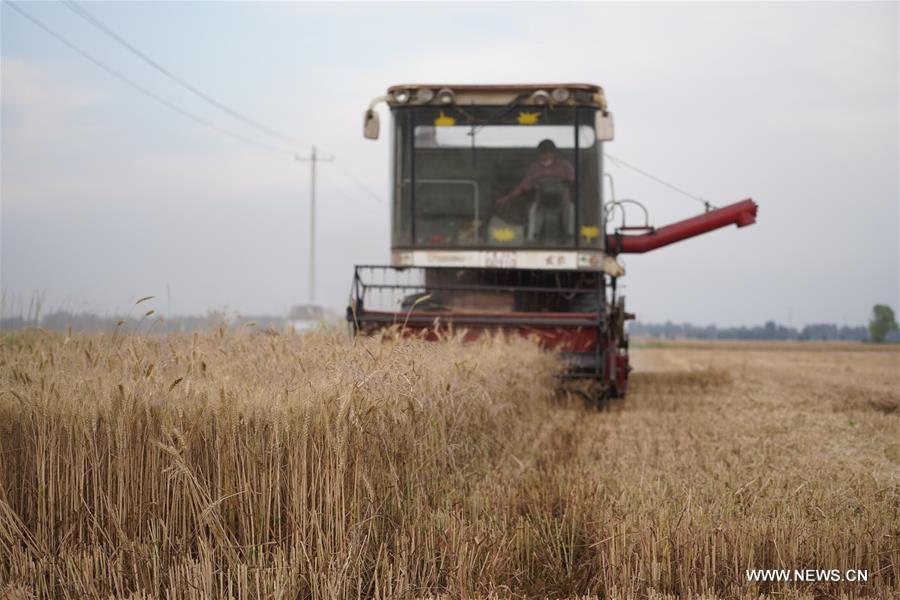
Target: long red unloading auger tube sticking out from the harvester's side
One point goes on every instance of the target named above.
(740, 213)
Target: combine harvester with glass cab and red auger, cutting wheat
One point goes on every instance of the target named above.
(499, 222)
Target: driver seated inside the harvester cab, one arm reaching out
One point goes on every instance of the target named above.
(551, 217)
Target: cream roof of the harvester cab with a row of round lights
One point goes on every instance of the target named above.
(575, 94)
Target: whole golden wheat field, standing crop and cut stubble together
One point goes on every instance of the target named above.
(259, 465)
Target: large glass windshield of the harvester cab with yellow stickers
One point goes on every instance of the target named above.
(496, 177)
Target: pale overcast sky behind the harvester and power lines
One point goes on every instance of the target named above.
(108, 196)
